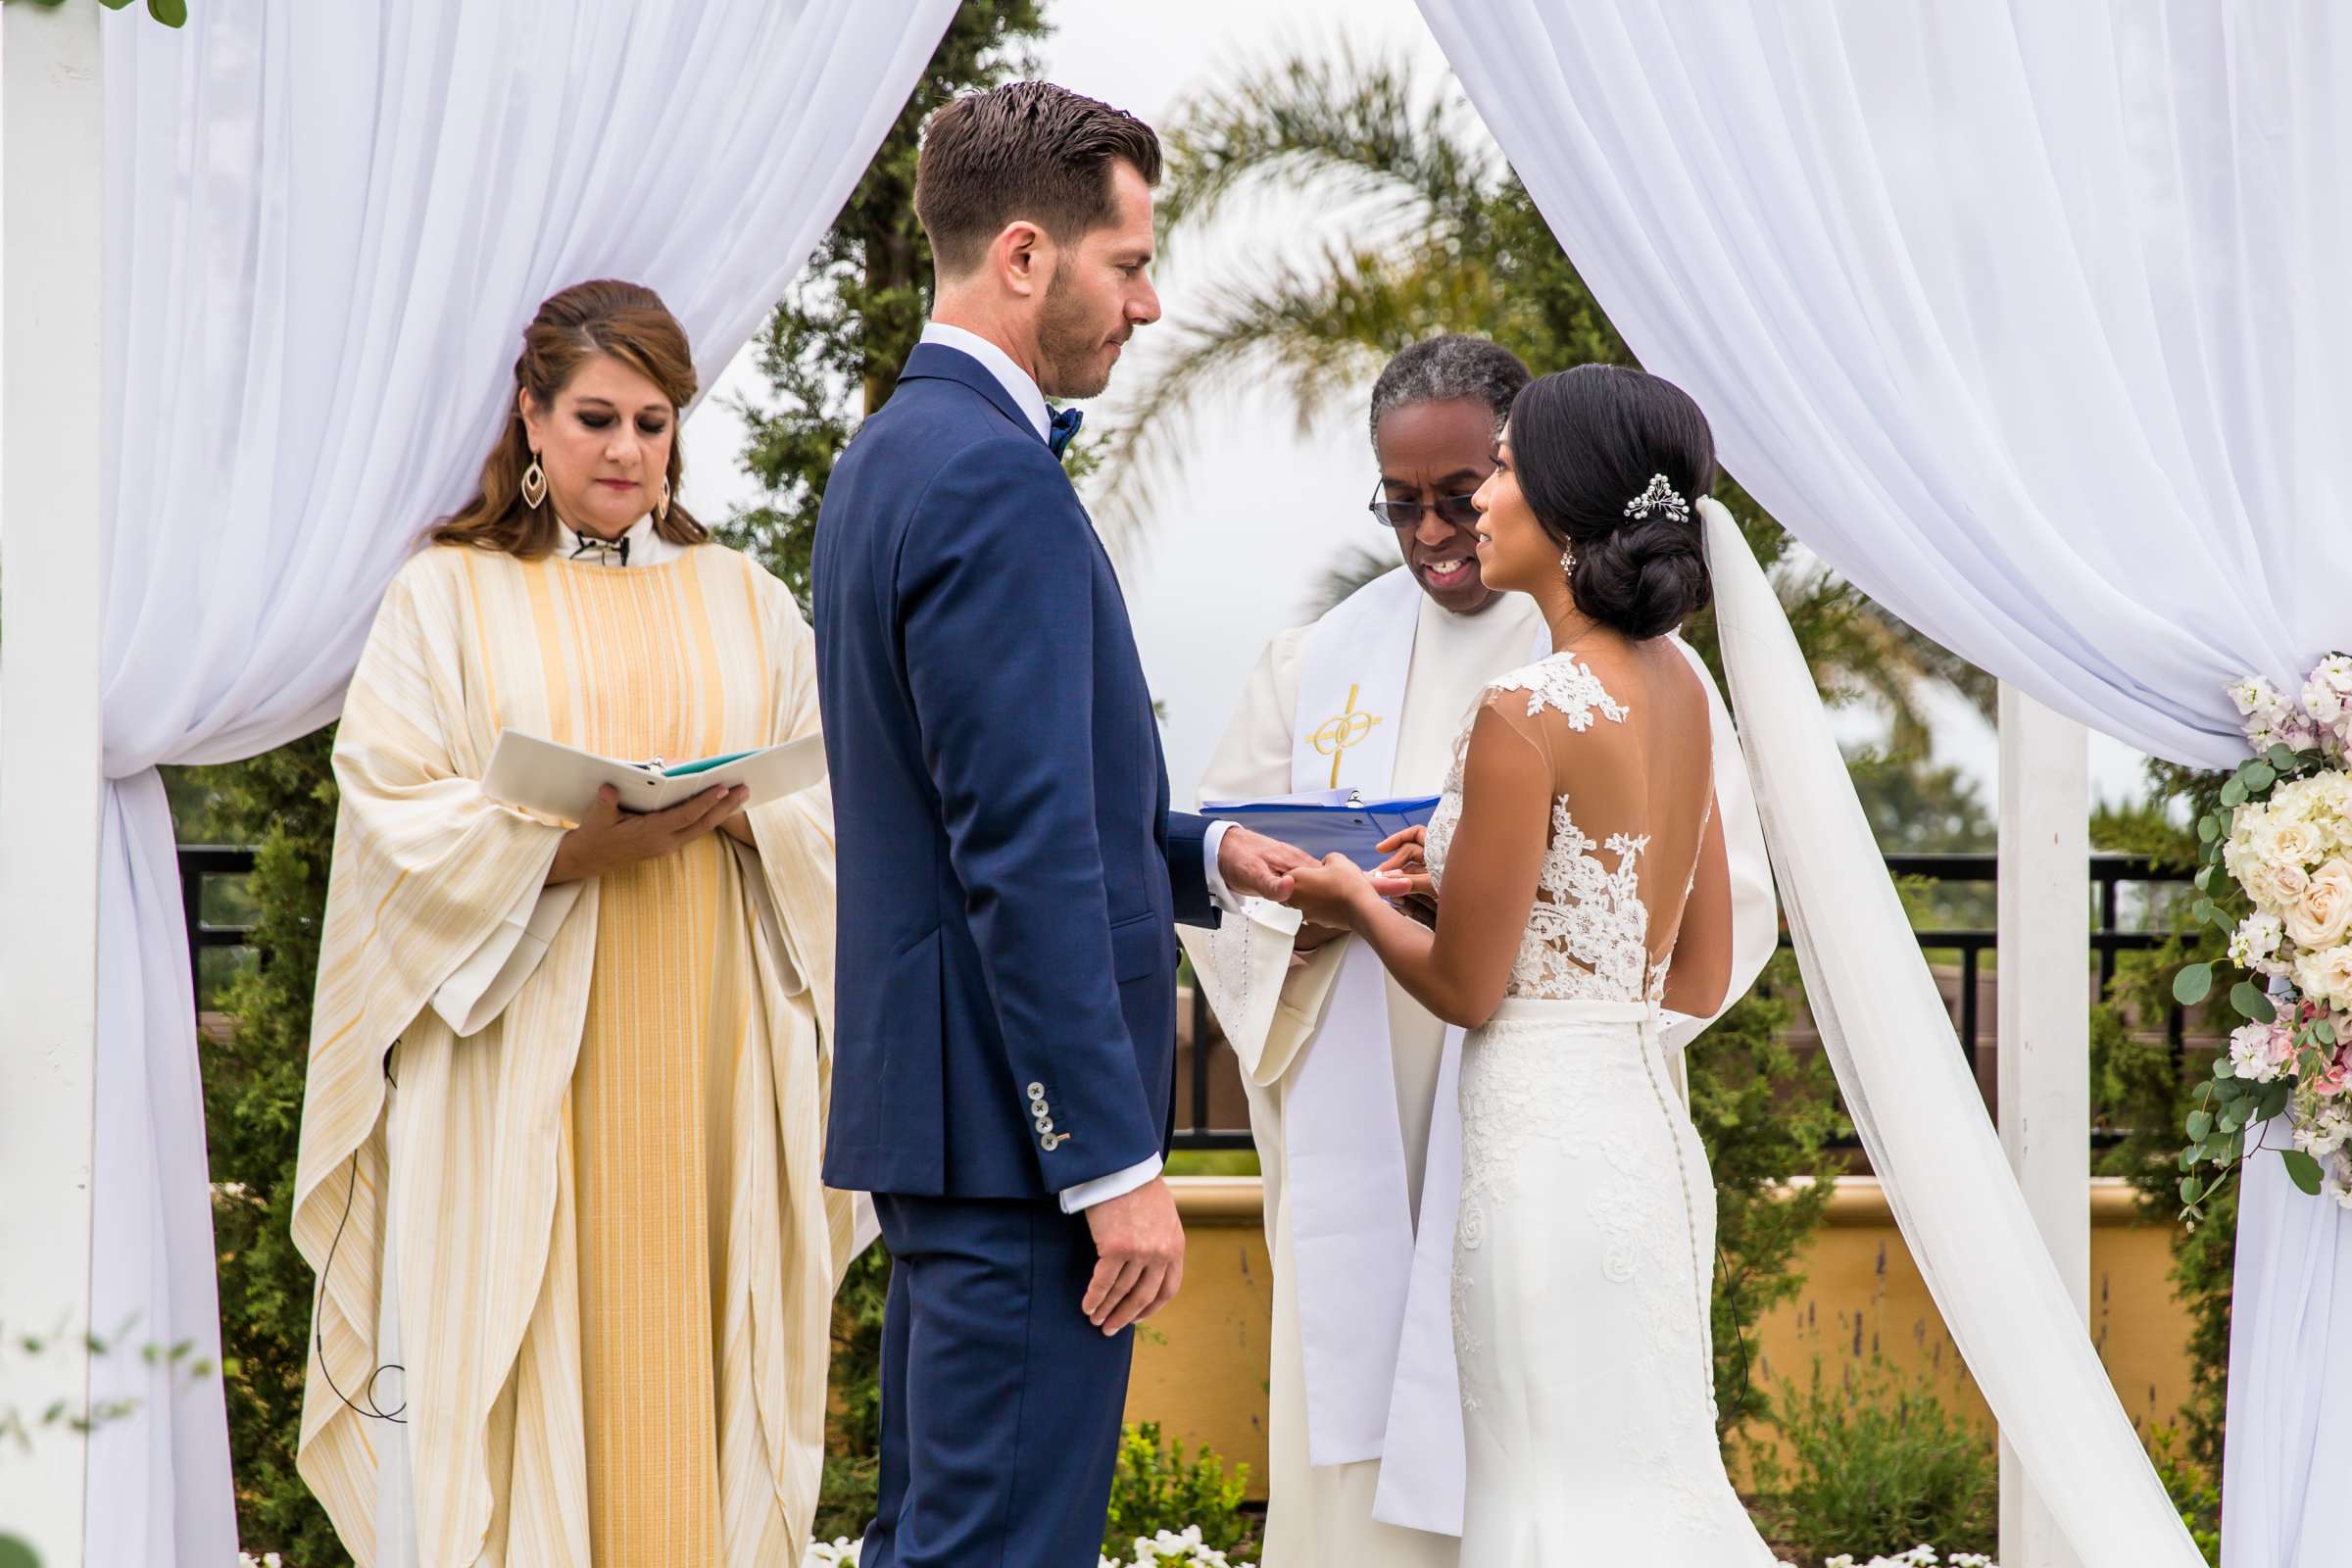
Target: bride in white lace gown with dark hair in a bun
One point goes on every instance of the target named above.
(1582, 887)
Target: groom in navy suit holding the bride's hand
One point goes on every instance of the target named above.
(1010, 871)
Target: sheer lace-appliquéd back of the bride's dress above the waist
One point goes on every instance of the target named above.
(1629, 796)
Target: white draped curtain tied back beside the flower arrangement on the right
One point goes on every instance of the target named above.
(2031, 321)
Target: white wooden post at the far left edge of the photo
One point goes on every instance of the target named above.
(51, 772)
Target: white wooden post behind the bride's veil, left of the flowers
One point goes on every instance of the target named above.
(2045, 1028)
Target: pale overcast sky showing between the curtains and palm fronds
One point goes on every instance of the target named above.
(1241, 535)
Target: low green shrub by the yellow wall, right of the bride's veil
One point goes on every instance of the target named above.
(1876, 1466)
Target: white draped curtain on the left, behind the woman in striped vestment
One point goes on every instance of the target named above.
(326, 227)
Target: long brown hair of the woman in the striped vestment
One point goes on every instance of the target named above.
(622, 321)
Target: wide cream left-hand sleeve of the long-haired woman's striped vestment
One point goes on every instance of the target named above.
(425, 871)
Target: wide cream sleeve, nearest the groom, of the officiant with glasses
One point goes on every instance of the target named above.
(1264, 1005)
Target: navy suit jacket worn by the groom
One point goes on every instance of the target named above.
(1005, 981)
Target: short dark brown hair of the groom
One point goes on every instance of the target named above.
(1022, 152)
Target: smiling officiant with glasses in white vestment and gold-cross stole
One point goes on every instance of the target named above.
(1351, 1083)
